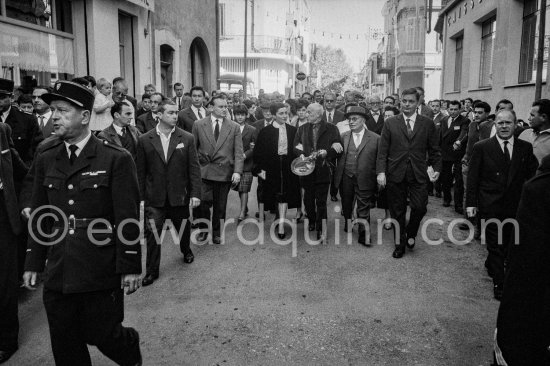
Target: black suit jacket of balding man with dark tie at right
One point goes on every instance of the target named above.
(488, 186)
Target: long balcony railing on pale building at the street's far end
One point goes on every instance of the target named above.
(259, 44)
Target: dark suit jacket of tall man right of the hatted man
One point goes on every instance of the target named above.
(396, 149)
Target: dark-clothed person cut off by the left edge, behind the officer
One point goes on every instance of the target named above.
(12, 170)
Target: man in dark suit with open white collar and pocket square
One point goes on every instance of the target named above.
(169, 179)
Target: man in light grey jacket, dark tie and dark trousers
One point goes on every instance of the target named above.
(221, 157)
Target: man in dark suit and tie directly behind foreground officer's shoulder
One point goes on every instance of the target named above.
(120, 132)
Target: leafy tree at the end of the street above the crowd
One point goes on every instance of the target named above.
(334, 67)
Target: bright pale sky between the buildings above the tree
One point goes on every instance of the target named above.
(349, 18)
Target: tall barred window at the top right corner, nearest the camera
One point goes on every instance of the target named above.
(530, 40)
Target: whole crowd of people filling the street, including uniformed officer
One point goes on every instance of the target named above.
(94, 152)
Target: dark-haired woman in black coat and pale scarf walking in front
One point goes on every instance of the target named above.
(273, 155)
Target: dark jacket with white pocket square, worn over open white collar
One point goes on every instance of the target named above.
(170, 181)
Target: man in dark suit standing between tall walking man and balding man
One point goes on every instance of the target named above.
(453, 133)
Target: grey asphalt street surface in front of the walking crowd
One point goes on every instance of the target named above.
(304, 304)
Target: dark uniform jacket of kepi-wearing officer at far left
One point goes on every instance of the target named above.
(26, 134)
